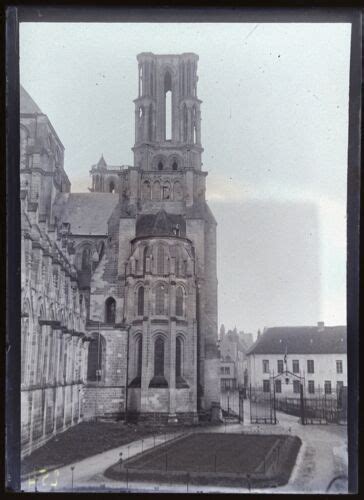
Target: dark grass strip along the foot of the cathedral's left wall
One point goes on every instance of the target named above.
(82, 441)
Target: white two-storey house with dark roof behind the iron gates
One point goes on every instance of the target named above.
(283, 358)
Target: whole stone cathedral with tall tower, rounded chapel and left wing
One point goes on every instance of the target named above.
(119, 285)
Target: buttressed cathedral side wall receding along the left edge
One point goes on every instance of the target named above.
(53, 312)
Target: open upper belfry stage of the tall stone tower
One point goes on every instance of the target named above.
(167, 113)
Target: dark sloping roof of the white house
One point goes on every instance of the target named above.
(301, 340)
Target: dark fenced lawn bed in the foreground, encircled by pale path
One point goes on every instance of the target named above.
(215, 458)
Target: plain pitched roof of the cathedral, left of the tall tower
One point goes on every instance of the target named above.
(88, 213)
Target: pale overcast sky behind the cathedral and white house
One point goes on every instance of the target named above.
(275, 134)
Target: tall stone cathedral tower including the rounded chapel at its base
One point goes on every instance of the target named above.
(167, 248)
